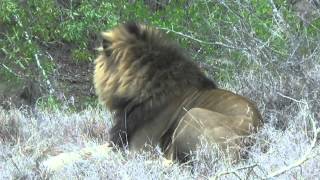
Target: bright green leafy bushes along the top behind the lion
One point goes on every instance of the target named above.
(211, 30)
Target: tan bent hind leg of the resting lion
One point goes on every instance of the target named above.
(216, 128)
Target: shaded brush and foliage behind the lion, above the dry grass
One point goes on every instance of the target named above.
(47, 47)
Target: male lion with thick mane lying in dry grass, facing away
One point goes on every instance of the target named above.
(160, 97)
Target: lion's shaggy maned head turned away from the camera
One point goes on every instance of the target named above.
(137, 63)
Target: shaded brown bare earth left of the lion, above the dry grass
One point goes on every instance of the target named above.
(71, 80)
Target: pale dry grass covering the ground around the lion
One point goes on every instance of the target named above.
(286, 147)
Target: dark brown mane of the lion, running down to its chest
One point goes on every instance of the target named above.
(159, 67)
